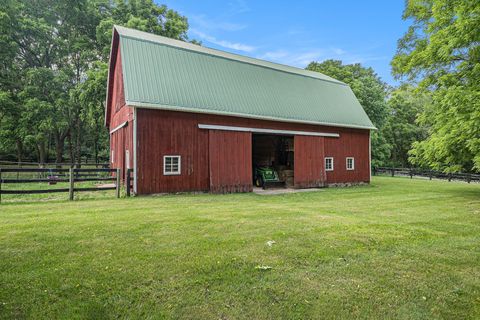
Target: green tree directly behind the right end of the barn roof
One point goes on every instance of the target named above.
(371, 92)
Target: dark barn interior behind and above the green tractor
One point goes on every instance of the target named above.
(276, 152)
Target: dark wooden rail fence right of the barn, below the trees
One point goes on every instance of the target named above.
(415, 172)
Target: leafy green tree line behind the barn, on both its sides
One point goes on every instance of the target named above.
(54, 69)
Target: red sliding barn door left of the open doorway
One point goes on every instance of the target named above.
(230, 161)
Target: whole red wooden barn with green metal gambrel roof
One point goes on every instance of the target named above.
(189, 118)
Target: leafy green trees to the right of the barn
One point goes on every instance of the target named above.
(432, 120)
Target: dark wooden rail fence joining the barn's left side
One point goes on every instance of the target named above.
(71, 175)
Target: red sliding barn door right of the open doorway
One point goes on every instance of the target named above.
(309, 155)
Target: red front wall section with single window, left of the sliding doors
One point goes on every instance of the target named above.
(163, 133)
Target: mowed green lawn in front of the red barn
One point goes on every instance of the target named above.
(399, 248)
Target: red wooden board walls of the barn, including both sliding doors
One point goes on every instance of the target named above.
(161, 132)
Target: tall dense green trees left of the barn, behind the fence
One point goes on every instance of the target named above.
(53, 63)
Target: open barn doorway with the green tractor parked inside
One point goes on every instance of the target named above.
(272, 160)
